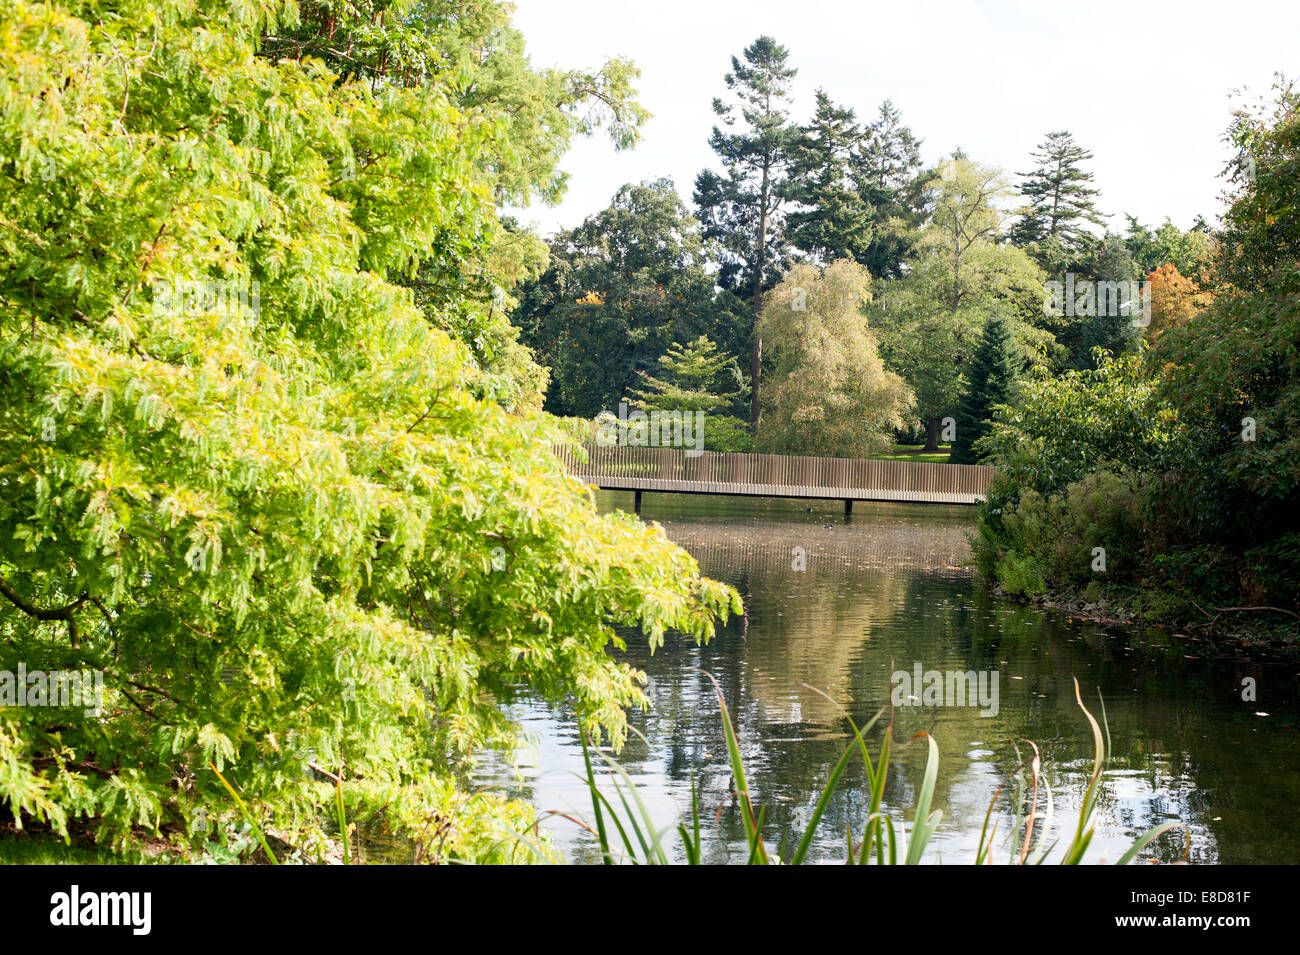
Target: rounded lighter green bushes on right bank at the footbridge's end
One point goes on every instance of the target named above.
(1077, 455)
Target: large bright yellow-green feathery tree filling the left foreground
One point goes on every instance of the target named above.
(244, 475)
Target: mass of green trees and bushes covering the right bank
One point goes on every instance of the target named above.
(1181, 461)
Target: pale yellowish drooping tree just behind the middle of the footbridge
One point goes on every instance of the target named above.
(829, 393)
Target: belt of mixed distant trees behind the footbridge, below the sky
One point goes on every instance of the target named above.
(942, 251)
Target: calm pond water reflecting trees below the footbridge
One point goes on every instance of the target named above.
(889, 588)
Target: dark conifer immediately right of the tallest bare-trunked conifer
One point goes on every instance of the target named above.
(835, 222)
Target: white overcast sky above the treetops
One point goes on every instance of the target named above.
(1146, 85)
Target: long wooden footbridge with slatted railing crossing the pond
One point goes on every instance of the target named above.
(777, 476)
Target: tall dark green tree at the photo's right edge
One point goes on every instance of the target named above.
(1233, 374)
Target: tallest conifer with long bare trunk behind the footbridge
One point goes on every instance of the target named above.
(742, 207)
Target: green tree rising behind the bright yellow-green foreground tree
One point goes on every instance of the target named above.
(526, 119)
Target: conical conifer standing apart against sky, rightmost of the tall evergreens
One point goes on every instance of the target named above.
(1060, 198)
